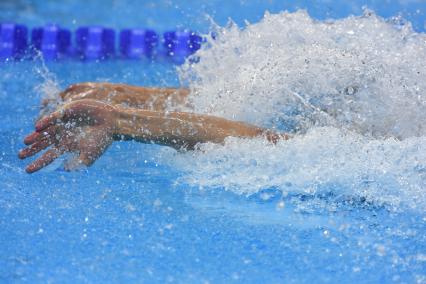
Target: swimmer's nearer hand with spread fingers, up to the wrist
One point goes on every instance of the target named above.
(82, 127)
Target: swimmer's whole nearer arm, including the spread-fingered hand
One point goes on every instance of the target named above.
(88, 127)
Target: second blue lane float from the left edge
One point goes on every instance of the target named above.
(52, 41)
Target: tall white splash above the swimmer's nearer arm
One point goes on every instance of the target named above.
(361, 73)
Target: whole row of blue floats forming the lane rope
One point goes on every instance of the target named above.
(95, 43)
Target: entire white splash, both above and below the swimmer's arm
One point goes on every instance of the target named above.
(354, 89)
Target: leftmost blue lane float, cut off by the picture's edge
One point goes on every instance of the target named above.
(13, 40)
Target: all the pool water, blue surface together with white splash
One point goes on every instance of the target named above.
(343, 202)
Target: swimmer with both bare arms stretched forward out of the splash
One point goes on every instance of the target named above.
(93, 115)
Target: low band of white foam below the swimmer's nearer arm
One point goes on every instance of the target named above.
(323, 160)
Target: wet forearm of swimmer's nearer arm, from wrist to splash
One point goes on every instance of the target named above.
(179, 129)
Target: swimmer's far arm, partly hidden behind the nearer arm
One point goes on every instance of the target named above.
(131, 96)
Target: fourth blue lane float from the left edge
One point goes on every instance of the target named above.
(138, 43)
